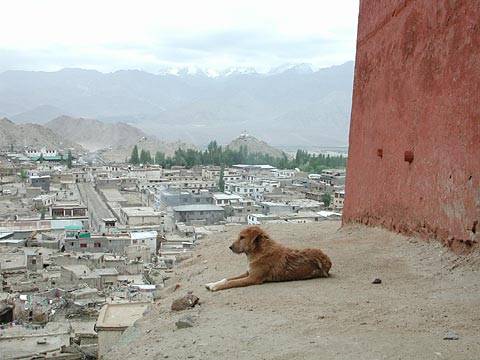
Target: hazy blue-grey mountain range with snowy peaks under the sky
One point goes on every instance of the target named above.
(291, 106)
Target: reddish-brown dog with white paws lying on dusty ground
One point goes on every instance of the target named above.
(269, 261)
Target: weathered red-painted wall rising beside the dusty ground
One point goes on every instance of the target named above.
(417, 98)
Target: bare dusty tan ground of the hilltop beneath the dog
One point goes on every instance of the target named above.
(426, 293)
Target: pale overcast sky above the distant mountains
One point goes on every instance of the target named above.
(109, 35)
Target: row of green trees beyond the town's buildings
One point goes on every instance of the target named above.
(217, 155)
